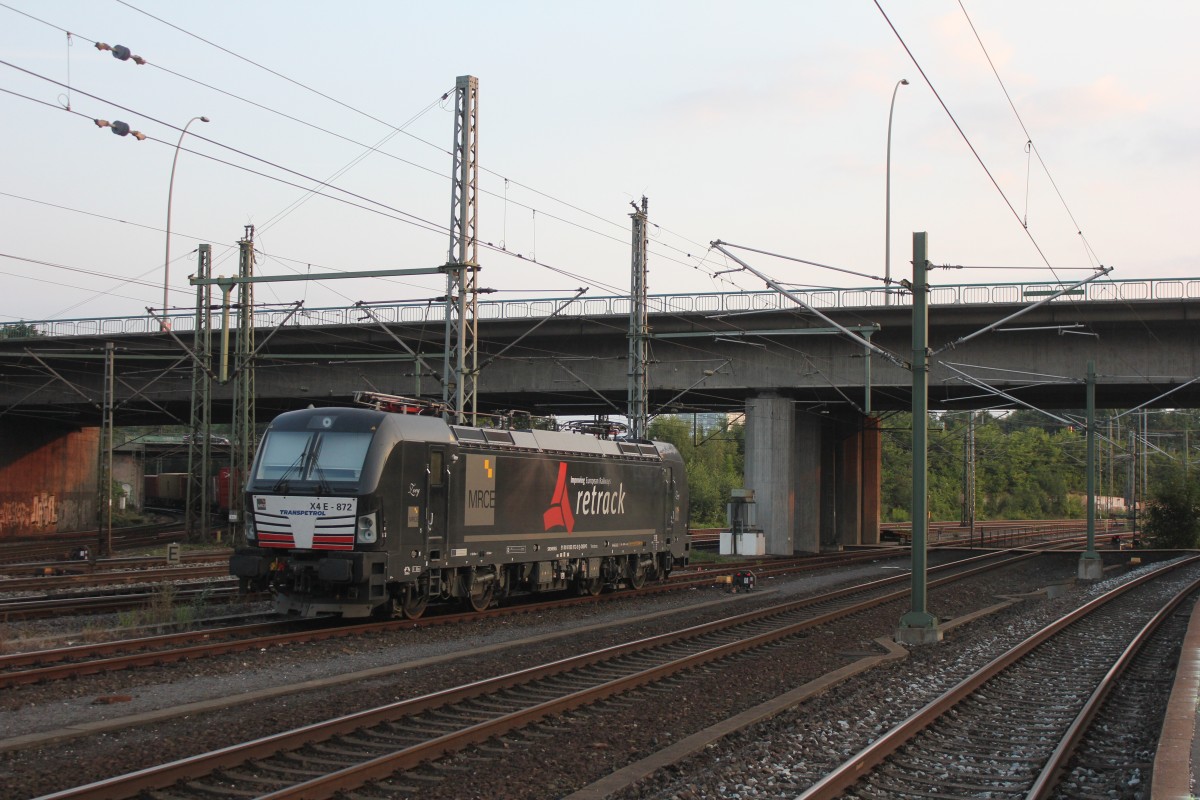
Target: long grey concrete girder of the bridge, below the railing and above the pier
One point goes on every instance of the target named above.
(698, 364)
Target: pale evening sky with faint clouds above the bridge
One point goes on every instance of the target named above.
(763, 124)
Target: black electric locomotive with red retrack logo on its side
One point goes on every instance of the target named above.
(356, 512)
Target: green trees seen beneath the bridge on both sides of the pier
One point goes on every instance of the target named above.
(1028, 466)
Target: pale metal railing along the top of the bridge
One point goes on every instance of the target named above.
(711, 303)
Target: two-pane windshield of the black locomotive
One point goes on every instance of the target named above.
(321, 456)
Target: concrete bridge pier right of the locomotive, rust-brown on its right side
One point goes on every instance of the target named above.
(817, 477)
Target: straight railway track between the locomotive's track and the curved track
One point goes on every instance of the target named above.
(374, 745)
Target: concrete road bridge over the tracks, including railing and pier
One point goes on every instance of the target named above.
(812, 394)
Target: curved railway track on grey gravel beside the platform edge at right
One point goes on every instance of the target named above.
(1011, 729)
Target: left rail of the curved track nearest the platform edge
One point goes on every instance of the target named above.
(837, 783)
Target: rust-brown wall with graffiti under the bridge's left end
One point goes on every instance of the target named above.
(47, 479)
